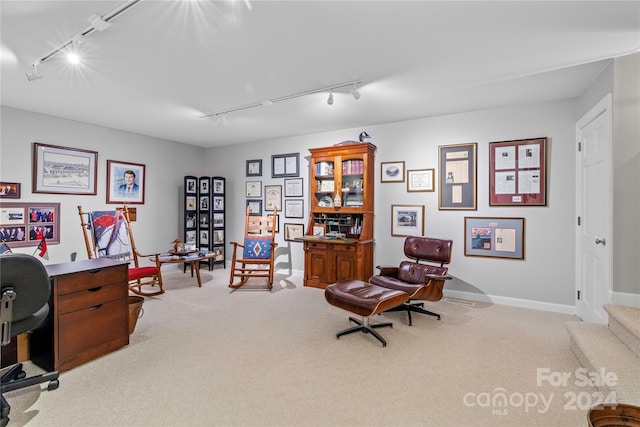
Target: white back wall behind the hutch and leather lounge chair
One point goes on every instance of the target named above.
(545, 276)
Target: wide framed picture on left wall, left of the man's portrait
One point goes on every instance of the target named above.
(64, 170)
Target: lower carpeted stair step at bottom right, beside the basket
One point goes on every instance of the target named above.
(598, 348)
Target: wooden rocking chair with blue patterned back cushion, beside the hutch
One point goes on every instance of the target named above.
(258, 250)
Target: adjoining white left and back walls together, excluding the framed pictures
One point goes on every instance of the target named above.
(545, 279)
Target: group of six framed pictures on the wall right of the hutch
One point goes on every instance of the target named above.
(517, 177)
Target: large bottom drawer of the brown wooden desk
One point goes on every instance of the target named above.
(89, 333)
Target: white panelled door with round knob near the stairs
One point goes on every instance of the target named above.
(594, 206)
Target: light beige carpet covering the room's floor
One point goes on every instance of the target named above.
(213, 356)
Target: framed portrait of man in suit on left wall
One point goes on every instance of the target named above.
(125, 182)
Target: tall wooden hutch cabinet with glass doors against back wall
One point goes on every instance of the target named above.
(338, 244)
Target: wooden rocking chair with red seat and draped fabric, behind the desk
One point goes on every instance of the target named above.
(108, 234)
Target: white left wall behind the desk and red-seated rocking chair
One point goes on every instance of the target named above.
(166, 164)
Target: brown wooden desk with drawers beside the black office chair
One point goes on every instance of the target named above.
(88, 314)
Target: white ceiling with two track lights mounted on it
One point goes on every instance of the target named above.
(163, 65)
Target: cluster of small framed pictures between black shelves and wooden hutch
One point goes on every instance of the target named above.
(269, 197)
